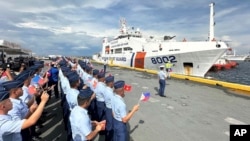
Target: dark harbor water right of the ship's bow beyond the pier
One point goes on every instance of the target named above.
(240, 74)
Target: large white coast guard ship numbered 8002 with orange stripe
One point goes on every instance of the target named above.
(131, 49)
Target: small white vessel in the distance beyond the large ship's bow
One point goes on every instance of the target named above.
(231, 55)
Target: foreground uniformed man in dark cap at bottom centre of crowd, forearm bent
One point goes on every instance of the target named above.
(81, 124)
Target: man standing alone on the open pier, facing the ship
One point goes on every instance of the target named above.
(162, 81)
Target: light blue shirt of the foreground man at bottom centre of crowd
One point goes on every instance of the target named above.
(80, 123)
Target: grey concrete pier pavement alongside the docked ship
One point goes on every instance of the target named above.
(191, 111)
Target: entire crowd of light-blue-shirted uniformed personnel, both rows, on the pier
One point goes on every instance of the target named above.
(92, 102)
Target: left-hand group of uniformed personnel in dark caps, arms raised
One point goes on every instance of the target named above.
(19, 110)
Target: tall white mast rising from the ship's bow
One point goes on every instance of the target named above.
(212, 23)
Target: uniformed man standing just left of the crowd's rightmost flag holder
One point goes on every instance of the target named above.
(109, 94)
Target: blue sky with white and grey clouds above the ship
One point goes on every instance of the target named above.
(77, 27)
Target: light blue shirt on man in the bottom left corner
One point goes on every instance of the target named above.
(10, 129)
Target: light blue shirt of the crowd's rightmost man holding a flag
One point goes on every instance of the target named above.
(118, 107)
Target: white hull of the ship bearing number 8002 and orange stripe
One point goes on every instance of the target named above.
(195, 62)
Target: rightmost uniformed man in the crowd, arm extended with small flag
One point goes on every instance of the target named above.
(120, 115)
